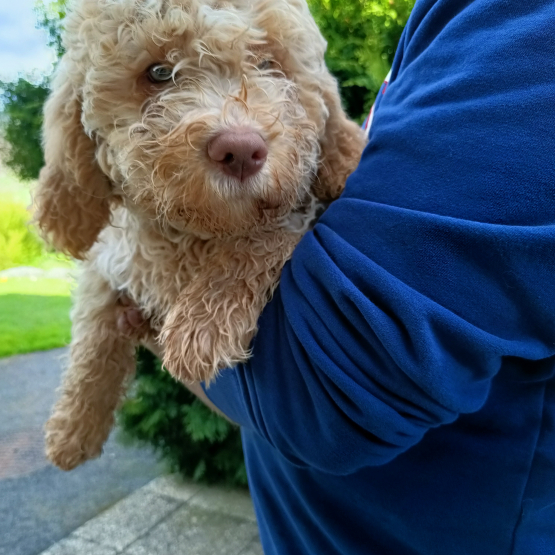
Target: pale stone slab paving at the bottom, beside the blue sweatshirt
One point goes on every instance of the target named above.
(169, 517)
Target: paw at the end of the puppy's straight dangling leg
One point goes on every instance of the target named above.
(71, 442)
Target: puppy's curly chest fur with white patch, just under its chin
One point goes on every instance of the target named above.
(152, 269)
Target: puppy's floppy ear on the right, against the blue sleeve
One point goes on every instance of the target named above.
(341, 146)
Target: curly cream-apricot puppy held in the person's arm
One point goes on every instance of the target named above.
(188, 147)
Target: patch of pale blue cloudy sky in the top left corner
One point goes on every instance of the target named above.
(23, 48)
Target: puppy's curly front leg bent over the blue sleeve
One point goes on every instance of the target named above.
(215, 317)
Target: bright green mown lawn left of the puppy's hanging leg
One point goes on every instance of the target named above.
(34, 315)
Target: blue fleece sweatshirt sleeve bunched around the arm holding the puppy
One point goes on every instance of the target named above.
(434, 271)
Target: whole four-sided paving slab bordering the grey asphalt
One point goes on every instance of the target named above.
(129, 519)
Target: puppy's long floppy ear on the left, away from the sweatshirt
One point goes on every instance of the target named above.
(72, 197)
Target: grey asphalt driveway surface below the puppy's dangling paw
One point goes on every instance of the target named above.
(39, 504)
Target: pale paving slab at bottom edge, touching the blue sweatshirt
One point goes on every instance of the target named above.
(195, 531)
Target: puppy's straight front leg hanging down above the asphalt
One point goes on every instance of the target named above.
(102, 359)
